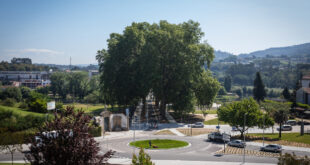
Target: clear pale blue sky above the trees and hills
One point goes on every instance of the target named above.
(52, 31)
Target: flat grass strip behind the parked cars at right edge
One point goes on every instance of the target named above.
(290, 137)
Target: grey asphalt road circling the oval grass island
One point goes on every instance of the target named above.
(199, 150)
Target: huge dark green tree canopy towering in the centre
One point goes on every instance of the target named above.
(164, 58)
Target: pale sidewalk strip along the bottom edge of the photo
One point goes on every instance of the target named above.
(182, 162)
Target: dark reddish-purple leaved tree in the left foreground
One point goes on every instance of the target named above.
(65, 140)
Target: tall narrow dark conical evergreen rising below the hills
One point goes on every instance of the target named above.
(259, 88)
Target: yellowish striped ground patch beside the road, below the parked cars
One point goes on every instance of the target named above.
(239, 151)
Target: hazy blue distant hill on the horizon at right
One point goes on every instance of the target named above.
(295, 50)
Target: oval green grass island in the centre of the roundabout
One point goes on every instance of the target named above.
(160, 143)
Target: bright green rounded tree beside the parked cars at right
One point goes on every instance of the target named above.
(242, 114)
